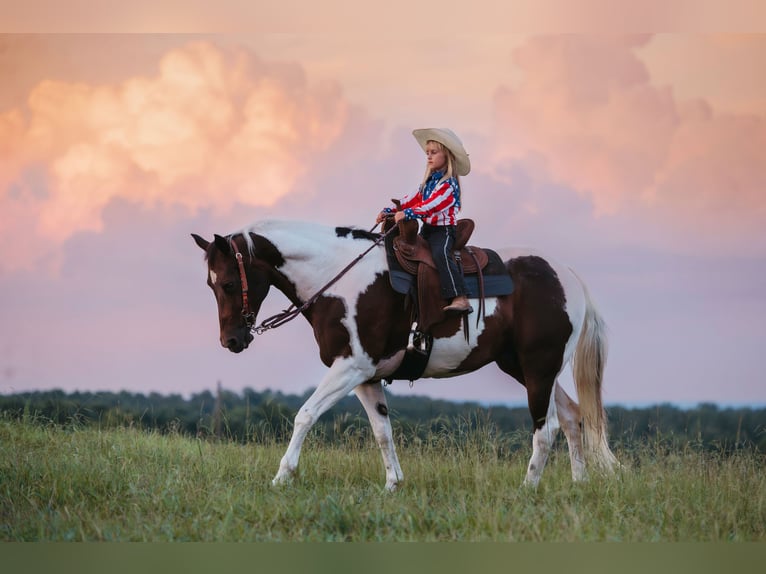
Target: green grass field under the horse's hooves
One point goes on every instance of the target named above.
(81, 483)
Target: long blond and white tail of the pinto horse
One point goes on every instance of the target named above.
(588, 364)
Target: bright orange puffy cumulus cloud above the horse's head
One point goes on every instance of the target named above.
(210, 128)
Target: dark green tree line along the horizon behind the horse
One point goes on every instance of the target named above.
(266, 416)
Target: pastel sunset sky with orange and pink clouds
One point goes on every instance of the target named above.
(637, 159)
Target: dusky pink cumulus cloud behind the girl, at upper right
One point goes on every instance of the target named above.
(589, 116)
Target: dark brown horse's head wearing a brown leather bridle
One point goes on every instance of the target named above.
(239, 288)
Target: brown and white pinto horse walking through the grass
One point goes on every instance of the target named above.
(362, 325)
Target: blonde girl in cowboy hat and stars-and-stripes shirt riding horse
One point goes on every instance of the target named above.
(437, 203)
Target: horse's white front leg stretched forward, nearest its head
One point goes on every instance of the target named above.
(344, 375)
